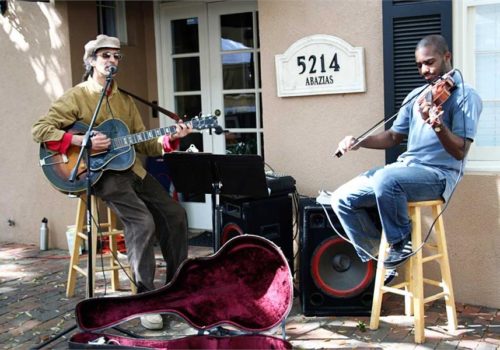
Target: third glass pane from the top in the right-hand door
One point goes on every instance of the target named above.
(239, 111)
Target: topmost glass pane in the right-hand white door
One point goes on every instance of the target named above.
(236, 31)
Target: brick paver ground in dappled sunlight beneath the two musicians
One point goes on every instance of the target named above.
(34, 308)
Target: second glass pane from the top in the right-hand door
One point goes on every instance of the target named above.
(238, 71)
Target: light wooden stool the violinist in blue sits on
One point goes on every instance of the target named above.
(412, 288)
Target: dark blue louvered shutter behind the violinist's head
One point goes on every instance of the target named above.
(405, 22)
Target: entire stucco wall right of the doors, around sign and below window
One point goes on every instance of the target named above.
(301, 134)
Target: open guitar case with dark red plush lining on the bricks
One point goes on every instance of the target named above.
(247, 284)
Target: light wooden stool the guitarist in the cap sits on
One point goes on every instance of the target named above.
(101, 229)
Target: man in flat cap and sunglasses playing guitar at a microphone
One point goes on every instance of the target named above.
(142, 204)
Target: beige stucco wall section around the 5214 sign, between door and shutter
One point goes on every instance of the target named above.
(301, 133)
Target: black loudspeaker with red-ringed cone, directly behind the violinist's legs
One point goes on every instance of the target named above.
(333, 280)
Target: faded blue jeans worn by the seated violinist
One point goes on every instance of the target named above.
(389, 189)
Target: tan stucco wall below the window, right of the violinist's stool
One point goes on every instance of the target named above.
(472, 224)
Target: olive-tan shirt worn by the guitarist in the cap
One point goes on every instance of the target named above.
(79, 103)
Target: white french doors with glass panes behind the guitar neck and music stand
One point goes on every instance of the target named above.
(208, 63)
